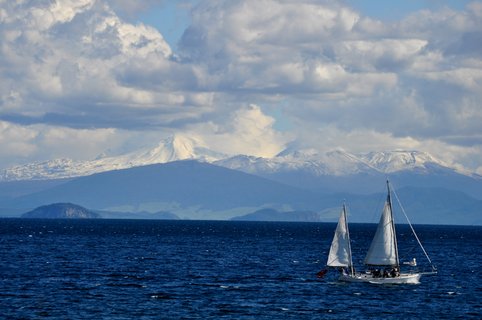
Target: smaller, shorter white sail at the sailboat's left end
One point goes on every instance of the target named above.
(340, 251)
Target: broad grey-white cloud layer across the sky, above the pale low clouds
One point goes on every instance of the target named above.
(322, 63)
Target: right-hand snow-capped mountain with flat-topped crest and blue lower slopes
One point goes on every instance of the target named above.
(339, 171)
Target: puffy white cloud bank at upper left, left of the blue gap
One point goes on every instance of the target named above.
(65, 60)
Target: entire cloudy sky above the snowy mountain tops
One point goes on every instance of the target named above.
(80, 78)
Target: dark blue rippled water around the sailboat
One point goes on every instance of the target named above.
(118, 269)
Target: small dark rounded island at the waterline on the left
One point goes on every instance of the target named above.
(61, 211)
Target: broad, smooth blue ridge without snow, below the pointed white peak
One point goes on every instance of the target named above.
(186, 185)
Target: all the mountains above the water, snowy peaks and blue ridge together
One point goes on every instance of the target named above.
(183, 177)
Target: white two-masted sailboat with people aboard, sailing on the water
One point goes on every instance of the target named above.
(382, 260)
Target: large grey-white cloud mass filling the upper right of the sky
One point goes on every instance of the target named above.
(340, 68)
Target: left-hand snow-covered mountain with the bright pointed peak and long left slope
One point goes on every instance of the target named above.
(171, 149)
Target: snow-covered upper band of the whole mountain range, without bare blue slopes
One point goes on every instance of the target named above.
(308, 162)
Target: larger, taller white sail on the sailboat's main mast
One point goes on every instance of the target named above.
(383, 249)
